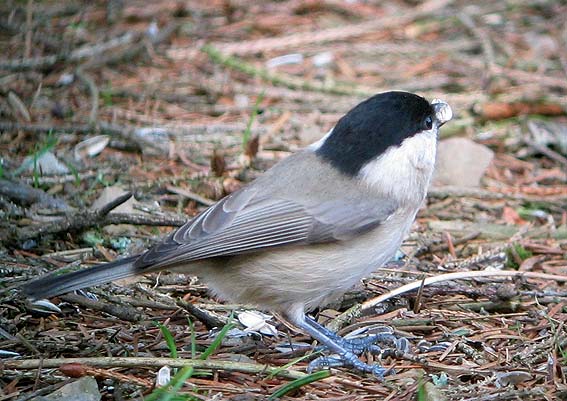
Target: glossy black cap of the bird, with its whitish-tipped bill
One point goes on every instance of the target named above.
(378, 123)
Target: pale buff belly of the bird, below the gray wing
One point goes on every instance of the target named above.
(311, 275)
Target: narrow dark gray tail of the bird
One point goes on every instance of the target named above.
(56, 283)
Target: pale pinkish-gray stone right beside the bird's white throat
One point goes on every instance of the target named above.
(461, 162)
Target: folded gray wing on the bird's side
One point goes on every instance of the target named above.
(246, 222)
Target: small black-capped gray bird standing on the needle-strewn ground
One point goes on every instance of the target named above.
(310, 227)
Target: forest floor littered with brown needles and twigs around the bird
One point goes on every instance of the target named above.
(182, 102)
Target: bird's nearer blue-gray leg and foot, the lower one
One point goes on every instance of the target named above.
(335, 344)
